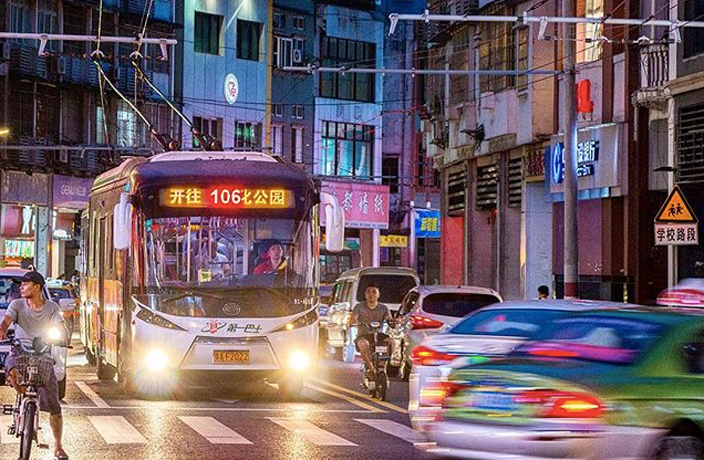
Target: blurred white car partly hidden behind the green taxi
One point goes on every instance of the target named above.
(491, 331)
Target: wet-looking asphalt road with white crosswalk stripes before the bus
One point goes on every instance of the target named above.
(333, 419)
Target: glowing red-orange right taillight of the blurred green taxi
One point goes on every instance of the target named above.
(559, 404)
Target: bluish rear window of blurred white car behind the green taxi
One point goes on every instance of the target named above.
(506, 322)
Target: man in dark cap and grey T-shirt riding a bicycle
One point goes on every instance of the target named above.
(33, 316)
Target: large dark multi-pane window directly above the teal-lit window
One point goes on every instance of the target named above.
(337, 52)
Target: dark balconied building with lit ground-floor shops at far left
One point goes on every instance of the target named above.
(62, 132)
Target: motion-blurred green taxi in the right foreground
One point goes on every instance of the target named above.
(624, 384)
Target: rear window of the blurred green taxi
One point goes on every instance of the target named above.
(594, 338)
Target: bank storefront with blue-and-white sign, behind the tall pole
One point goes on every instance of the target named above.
(603, 185)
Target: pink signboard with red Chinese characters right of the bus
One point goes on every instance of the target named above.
(365, 205)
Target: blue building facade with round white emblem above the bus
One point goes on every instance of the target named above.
(221, 71)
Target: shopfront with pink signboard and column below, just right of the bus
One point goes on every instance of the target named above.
(366, 209)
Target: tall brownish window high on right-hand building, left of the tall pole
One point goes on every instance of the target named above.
(496, 51)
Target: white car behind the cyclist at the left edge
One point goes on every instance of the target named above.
(10, 292)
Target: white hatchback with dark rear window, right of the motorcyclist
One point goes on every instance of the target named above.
(429, 310)
